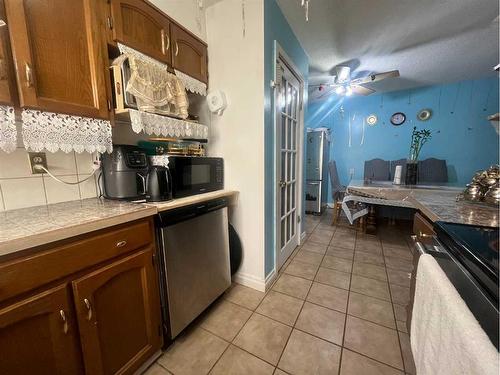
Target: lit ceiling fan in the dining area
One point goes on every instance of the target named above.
(344, 85)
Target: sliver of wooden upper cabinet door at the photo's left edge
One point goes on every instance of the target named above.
(8, 92)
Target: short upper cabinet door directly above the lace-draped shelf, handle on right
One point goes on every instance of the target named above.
(140, 26)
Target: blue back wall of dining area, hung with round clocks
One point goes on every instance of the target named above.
(462, 135)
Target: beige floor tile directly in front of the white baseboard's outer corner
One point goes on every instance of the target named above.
(280, 307)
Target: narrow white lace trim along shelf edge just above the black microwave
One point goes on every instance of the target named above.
(152, 124)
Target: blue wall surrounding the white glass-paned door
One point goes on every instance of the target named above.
(276, 29)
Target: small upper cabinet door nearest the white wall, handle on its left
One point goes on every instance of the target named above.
(189, 55)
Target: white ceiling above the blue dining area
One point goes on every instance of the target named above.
(430, 42)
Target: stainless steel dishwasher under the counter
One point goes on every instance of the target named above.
(194, 261)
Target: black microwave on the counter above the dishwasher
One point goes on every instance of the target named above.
(195, 175)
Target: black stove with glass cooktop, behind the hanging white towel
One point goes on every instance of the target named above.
(469, 257)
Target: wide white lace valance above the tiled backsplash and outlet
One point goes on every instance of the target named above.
(54, 131)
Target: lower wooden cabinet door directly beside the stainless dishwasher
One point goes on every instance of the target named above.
(118, 311)
